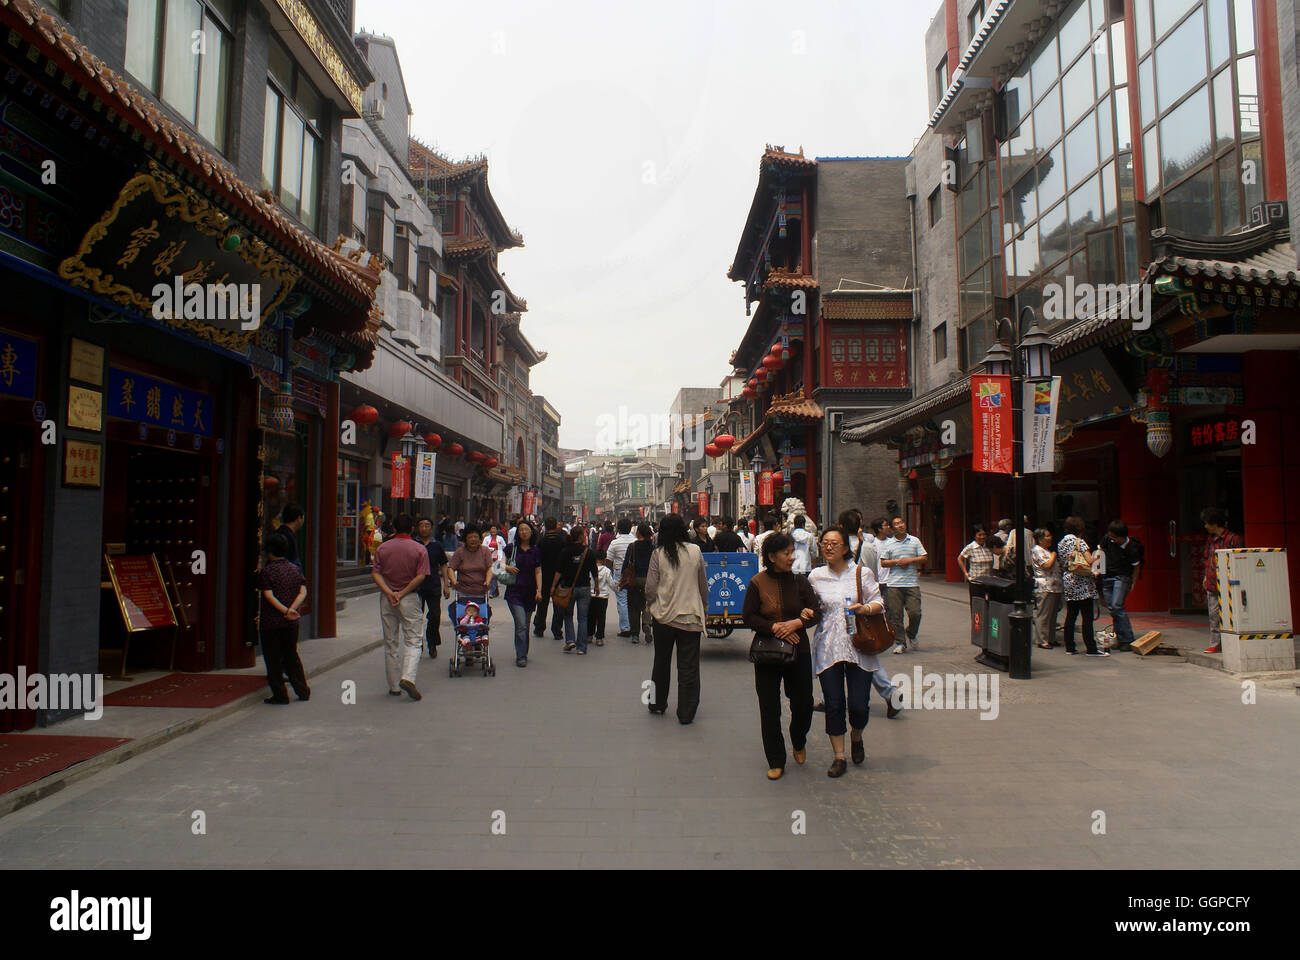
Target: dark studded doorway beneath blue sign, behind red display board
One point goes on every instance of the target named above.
(162, 503)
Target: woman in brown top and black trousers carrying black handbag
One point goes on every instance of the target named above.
(783, 604)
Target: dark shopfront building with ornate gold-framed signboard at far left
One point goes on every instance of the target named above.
(168, 433)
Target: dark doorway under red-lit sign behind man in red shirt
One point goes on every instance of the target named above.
(1215, 481)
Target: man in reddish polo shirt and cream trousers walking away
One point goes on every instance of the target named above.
(401, 565)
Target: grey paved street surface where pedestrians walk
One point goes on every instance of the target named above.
(569, 759)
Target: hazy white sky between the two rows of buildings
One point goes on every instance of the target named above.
(623, 142)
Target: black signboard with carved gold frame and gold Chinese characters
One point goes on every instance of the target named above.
(162, 233)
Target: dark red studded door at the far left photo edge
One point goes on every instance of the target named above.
(19, 617)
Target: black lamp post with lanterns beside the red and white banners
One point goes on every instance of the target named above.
(1029, 357)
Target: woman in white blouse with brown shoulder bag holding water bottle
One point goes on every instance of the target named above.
(846, 674)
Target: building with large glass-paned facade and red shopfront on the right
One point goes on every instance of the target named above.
(1067, 153)
